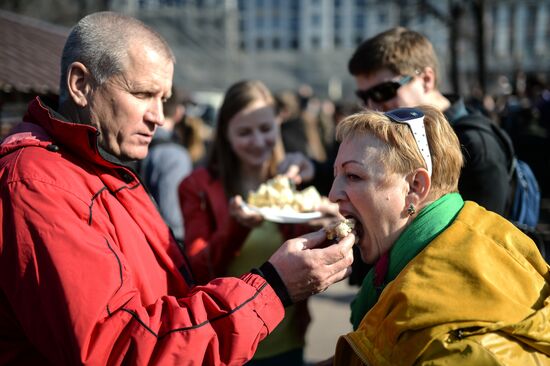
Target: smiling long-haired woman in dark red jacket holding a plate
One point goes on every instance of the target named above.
(222, 237)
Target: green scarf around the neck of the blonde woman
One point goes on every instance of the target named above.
(431, 221)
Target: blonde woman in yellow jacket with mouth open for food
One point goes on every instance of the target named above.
(452, 283)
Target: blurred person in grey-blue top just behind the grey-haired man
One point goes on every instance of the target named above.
(167, 163)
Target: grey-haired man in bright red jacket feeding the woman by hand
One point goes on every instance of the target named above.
(89, 272)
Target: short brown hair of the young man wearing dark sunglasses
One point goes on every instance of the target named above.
(400, 50)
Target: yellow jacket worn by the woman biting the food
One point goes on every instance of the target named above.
(478, 294)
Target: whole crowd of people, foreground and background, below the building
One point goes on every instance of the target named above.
(125, 238)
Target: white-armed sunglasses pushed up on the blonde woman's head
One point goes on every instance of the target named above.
(414, 118)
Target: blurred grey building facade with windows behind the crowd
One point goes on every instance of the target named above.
(289, 42)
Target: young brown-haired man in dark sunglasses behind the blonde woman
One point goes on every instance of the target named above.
(398, 68)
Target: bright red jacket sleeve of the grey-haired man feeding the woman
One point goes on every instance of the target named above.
(76, 299)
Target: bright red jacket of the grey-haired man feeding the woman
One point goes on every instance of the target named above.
(89, 273)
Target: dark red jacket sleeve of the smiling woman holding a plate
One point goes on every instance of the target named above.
(209, 245)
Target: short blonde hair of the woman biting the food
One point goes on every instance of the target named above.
(401, 154)
